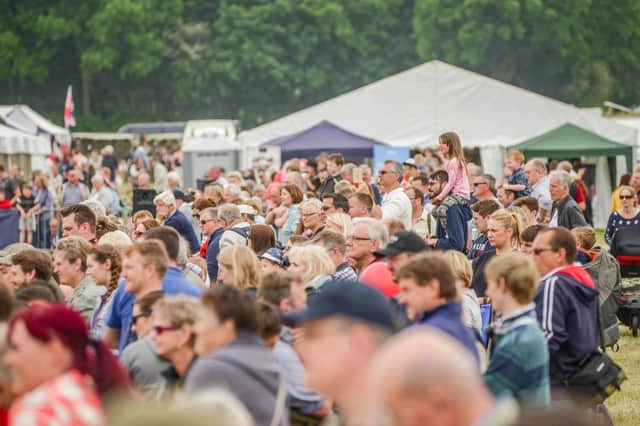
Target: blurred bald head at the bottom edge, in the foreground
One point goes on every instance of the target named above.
(423, 376)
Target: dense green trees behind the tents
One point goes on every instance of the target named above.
(254, 60)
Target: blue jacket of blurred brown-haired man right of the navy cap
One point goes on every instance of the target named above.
(448, 319)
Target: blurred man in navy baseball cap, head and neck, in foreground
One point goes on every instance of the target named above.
(350, 321)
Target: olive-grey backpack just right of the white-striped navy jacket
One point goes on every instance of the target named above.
(605, 272)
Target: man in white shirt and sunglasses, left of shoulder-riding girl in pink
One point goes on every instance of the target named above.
(395, 203)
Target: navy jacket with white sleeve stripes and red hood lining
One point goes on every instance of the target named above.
(567, 308)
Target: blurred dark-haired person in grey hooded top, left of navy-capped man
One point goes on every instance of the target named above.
(233, 357)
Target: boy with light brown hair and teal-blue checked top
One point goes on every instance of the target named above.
(519, 359)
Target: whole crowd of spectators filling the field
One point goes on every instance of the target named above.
(429, 292)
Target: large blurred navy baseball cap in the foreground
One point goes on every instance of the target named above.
(349, 299)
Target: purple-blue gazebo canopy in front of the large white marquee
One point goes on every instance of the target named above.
(323, 137)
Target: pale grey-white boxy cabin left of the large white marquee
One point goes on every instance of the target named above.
(200, 154)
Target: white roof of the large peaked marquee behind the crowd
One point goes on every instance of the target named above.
(413, 107)
